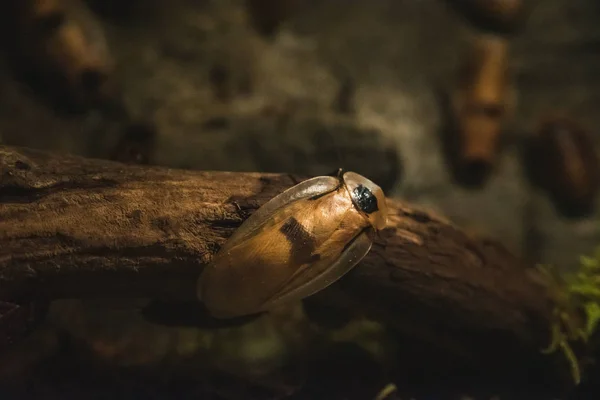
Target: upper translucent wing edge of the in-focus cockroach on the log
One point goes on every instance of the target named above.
(309, 188)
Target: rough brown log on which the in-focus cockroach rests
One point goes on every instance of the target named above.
(75, 227)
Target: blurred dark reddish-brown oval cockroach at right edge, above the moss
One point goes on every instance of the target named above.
(566, 164)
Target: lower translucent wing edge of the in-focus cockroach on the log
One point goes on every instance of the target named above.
(351, 256)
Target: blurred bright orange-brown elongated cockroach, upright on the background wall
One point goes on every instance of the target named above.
(481, 104)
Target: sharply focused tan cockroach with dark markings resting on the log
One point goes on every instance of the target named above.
(295, 245)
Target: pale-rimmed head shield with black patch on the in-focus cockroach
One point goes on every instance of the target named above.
(367, 197)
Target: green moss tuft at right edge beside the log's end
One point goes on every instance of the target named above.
(577, 308)
